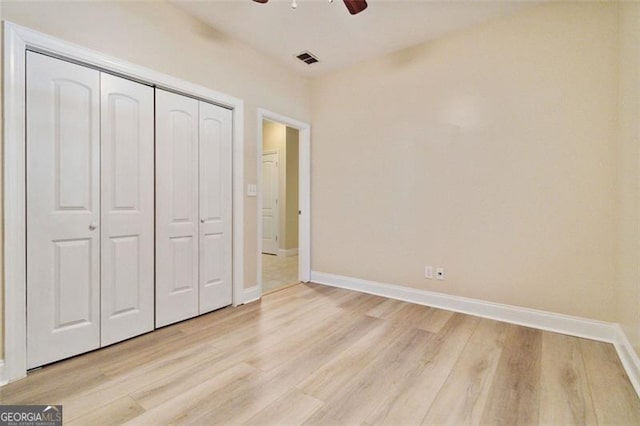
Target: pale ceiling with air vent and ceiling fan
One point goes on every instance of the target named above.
(337, 38)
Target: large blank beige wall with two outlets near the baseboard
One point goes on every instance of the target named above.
(490, 152)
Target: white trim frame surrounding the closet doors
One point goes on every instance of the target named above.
(17, 40)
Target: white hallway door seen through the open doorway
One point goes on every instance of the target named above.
(270, 219)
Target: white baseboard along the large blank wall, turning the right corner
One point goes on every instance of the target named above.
(549, 321)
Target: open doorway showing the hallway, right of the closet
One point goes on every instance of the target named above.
(280, 206)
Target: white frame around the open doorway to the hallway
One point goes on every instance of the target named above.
(304, 193)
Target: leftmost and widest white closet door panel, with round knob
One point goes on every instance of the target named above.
(63, 209)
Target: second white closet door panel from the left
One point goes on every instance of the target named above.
(127, 238)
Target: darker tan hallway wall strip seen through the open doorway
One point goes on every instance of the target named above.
(291, 219)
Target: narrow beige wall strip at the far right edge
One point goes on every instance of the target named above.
(629, 173)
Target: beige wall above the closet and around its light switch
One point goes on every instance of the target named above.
(159, 36)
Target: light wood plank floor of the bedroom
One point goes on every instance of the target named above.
(320, 355)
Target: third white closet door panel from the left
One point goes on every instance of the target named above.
(176, 207)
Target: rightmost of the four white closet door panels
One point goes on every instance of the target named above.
(215, 207)
